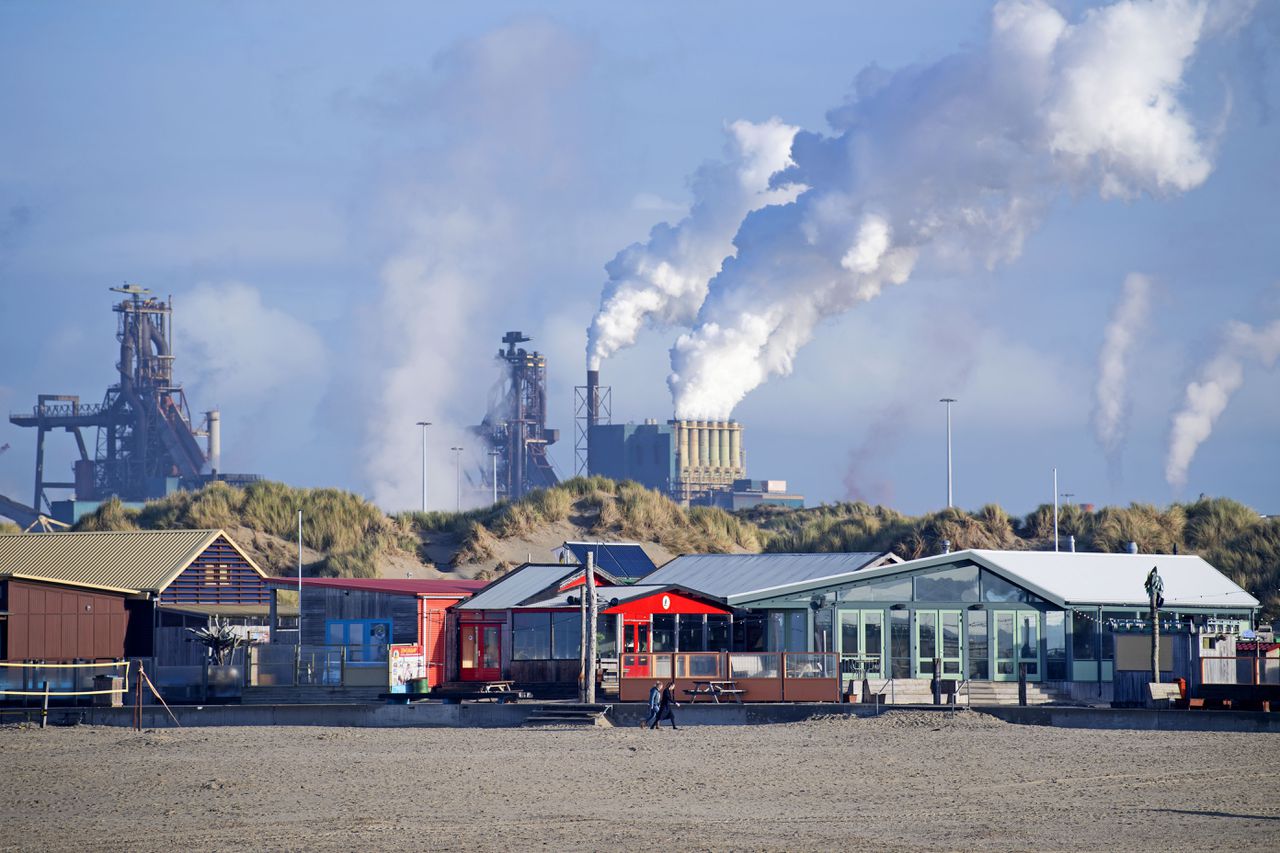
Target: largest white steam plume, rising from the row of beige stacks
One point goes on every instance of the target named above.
(950, 163)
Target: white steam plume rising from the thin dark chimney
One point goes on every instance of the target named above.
(665, 280)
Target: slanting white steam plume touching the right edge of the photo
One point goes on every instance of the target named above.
(1210, 393)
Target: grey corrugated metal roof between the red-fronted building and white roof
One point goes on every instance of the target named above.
(740, 574)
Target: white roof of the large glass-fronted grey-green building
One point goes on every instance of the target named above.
(1081, 578)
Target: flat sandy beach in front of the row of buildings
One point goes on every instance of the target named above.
(907, 781)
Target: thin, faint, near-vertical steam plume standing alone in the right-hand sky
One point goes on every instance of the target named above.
(1112, 394)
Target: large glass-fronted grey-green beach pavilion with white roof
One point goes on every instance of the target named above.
(988, 615)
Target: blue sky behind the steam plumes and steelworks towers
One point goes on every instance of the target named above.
(351, 207)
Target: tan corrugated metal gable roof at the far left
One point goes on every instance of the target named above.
(122, 562)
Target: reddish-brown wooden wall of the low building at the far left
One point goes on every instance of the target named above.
(51, 623)
